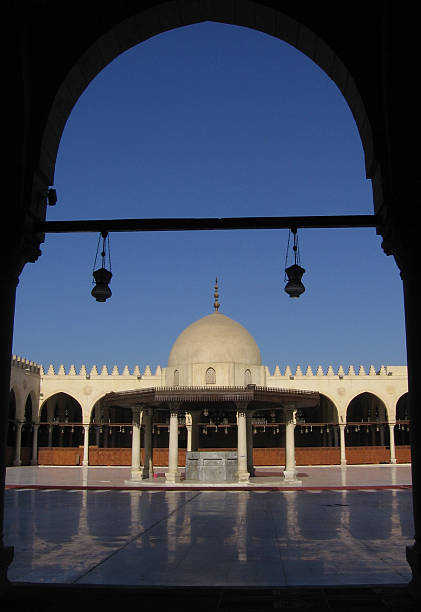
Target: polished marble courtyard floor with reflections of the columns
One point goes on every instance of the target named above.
(214, 538)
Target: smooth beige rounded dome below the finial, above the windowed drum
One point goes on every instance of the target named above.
(215, 339)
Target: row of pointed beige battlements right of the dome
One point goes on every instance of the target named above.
(340, 372)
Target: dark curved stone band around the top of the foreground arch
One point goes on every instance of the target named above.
(114, 36)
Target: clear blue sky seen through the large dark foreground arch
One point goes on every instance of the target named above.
(211, 120)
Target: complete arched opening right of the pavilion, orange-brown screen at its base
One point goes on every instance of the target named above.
(367, 431)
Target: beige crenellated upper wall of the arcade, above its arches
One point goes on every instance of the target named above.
(388, 384)
